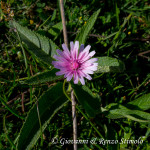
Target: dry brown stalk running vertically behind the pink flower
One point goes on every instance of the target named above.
(72, 93)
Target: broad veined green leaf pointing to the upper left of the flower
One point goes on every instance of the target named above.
(40, 46)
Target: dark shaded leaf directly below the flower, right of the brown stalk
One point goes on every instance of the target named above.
(89, 101)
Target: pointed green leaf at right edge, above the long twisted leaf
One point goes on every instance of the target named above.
(142, 102)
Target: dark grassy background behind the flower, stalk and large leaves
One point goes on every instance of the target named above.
(122, 31)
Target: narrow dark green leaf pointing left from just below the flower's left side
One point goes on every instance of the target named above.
(46, 76)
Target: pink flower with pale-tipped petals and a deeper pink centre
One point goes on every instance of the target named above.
(75, 63)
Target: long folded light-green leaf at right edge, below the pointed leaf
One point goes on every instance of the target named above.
(118, 111)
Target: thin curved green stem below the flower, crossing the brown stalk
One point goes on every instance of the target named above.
(82, 112)
